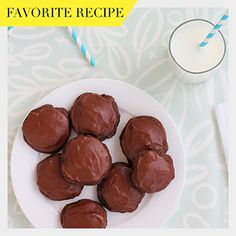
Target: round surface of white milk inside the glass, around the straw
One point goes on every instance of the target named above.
(186, 51)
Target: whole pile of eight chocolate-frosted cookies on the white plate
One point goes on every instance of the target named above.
(84, 160)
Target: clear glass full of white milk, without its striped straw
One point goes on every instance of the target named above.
(191, 63)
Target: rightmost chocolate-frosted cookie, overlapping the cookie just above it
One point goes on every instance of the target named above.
(153, 171)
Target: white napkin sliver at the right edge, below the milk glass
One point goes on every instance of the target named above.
(222, 117)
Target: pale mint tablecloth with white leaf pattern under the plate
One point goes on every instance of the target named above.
(44, 58)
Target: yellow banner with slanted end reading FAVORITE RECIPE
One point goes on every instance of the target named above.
(64, 13)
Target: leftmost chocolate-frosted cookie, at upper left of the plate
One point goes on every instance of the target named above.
(46, 129)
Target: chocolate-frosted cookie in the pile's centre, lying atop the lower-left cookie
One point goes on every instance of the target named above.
(85, 160)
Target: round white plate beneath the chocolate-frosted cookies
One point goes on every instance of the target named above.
(153, 210)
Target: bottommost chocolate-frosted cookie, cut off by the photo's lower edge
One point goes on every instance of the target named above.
(84, 214)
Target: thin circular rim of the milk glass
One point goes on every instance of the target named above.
(192, 72)
